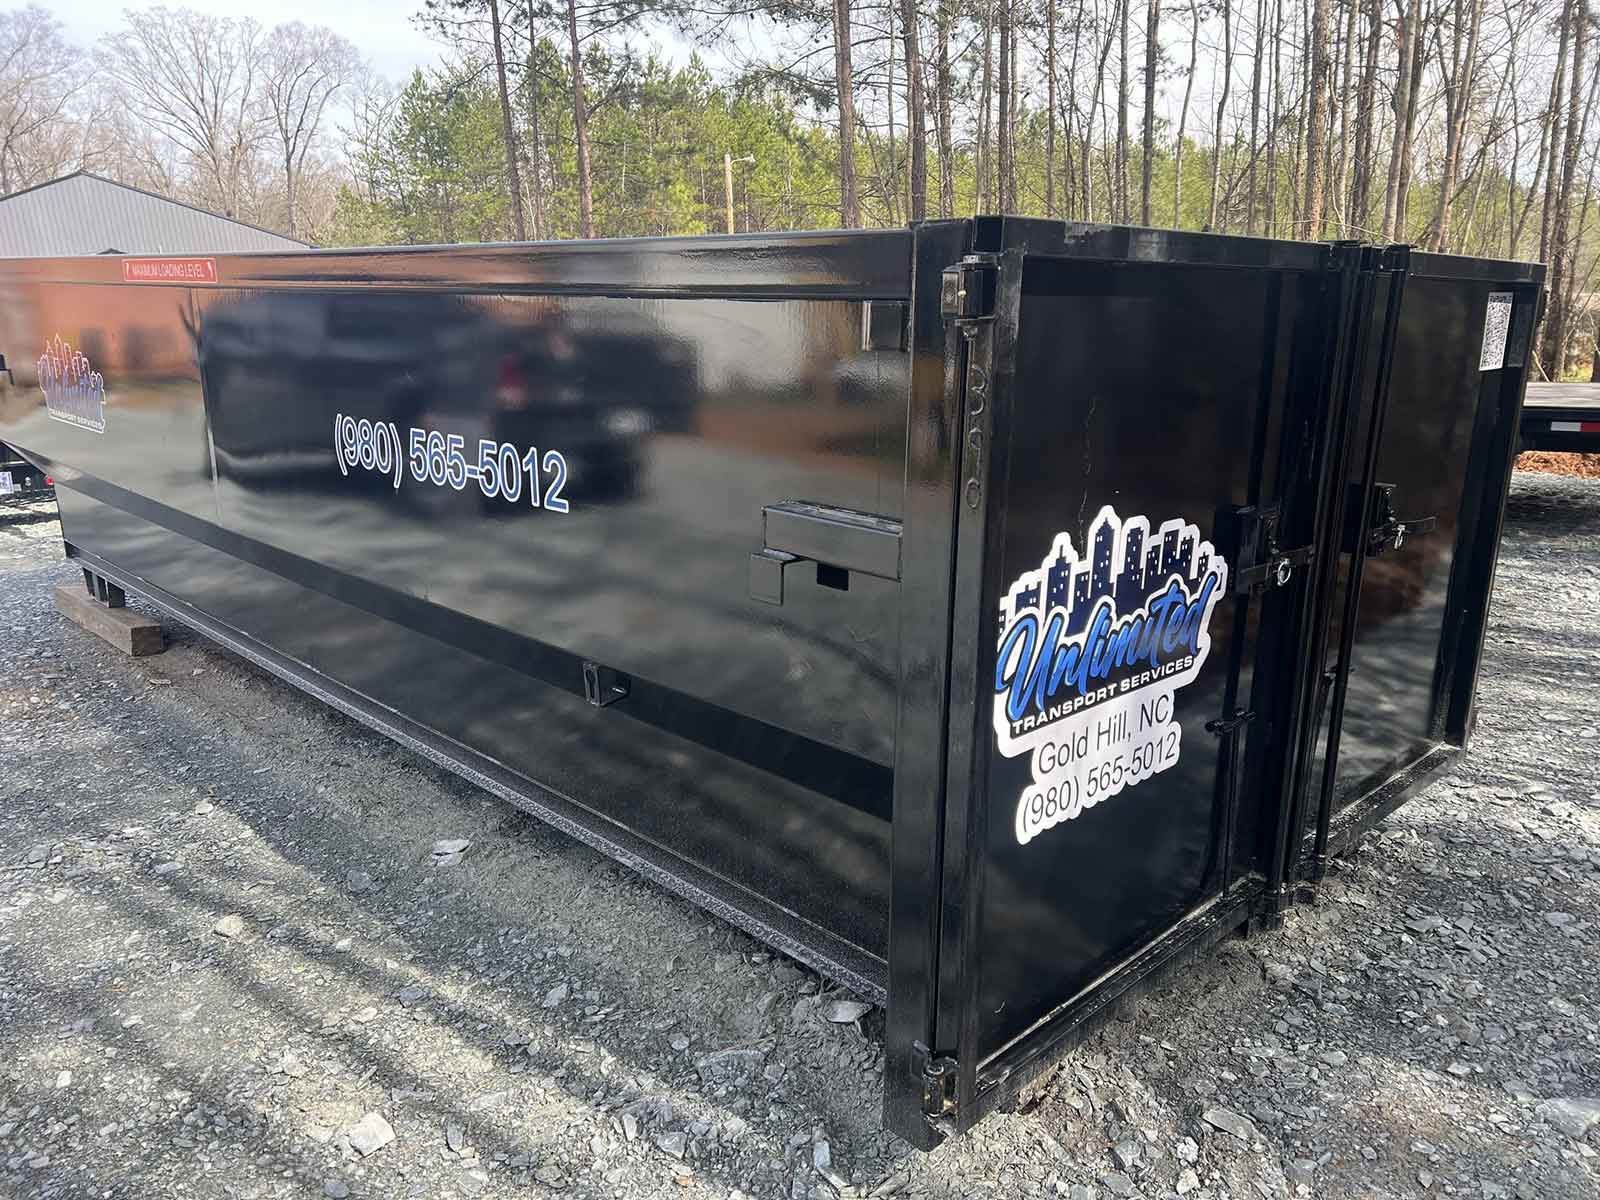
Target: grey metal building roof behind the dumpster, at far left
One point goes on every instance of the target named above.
(82, 214)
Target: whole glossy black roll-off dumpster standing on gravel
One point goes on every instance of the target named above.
(986, 614)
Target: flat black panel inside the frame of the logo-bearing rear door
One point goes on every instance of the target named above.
(1151, 404)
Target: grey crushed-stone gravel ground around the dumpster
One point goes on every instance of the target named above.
(249, 950)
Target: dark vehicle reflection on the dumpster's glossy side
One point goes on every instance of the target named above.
(278, 367)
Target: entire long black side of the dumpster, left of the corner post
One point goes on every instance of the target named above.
(522, 519)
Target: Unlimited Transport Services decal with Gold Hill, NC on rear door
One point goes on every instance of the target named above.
(1094, 650)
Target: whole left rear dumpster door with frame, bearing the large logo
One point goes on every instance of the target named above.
(1130, 585)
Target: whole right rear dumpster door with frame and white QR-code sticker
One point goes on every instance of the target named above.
(1438, 431)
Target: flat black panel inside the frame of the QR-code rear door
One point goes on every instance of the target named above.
(1455, 340)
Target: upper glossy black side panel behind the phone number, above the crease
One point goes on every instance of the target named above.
(673, 423)
